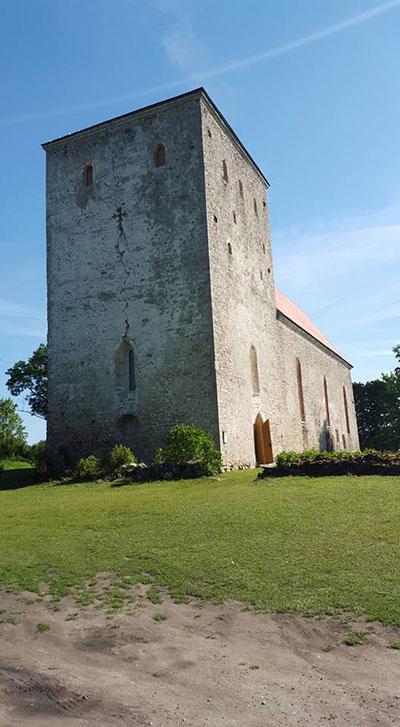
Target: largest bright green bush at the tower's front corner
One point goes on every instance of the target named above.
(186, 443)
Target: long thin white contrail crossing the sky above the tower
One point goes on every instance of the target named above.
(212, 73)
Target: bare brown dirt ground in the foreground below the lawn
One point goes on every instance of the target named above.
(205, 665)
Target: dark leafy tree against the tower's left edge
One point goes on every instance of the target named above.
(31, 377)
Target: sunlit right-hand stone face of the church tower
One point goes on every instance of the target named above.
(242, 288)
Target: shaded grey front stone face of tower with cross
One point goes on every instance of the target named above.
(127, 267)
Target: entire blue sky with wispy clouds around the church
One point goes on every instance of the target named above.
(312, 88)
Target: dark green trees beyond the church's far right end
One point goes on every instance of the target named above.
(378, 410)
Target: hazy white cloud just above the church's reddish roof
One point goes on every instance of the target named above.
(345, 275)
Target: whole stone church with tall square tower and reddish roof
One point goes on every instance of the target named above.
(162, 307)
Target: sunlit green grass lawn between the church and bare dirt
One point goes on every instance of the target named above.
(292, 544)
